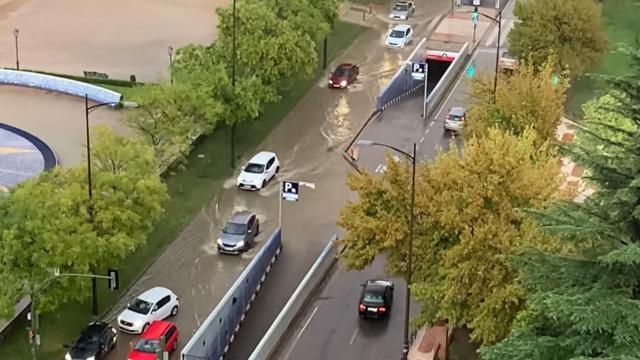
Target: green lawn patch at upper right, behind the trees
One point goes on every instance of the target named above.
(621, 27)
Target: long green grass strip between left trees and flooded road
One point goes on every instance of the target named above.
(190, 191)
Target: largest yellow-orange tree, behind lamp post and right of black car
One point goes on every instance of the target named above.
(467, 224)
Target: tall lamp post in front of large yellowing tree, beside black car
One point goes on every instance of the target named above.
(406, 345)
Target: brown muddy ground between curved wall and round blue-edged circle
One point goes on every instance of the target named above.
(56, 119)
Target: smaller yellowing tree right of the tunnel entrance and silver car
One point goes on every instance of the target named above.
(525, 99)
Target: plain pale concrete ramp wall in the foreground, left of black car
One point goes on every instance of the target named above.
(309, 283)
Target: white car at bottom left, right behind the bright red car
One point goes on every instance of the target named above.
(154, 304)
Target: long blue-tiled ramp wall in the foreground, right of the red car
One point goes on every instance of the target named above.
(212, 340)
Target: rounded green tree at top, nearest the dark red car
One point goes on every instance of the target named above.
(268, 47)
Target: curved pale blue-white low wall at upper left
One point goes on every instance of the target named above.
(58, 84)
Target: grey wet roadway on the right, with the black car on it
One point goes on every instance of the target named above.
(330, 327)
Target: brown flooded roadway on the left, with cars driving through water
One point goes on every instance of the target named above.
(308, 142)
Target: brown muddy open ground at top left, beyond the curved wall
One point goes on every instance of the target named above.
(117, 37)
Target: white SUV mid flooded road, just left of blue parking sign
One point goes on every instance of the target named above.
(259, 170)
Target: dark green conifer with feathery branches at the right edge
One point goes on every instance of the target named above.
(583, 302)
